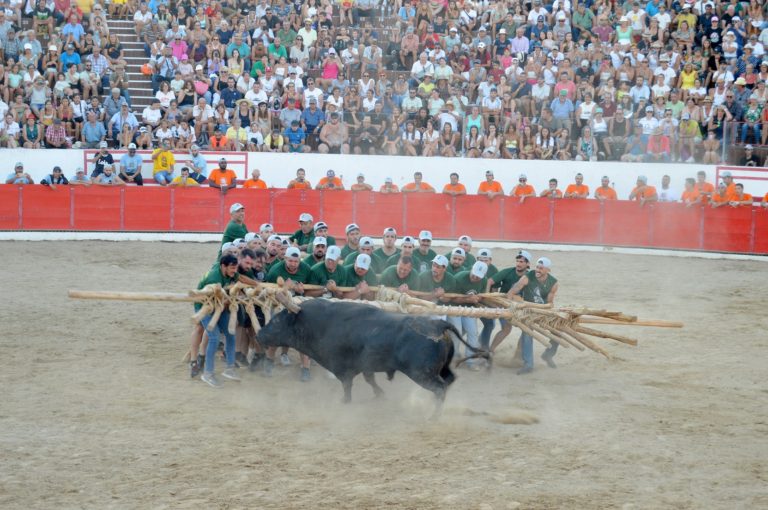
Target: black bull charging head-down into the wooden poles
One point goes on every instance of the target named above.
(351, 338)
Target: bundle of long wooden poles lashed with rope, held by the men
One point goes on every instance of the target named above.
(566, 326)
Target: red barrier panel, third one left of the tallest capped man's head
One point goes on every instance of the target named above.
(97, 208)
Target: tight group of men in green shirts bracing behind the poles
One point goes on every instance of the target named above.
(311, 263)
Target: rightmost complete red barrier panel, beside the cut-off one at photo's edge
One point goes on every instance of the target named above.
(727, 228)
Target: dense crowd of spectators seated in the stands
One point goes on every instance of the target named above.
(650, 80)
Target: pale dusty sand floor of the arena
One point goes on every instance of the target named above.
(98, 412)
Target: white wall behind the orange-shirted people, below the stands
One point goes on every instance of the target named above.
(278, 169)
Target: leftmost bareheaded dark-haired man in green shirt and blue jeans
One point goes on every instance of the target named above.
(224, 274)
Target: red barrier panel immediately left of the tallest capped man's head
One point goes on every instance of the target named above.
(197, 210)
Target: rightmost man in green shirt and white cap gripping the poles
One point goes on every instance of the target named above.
(537, 286)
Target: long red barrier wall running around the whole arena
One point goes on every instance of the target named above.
(615, 223)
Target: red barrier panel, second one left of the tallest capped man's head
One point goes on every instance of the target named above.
(147, 208)
